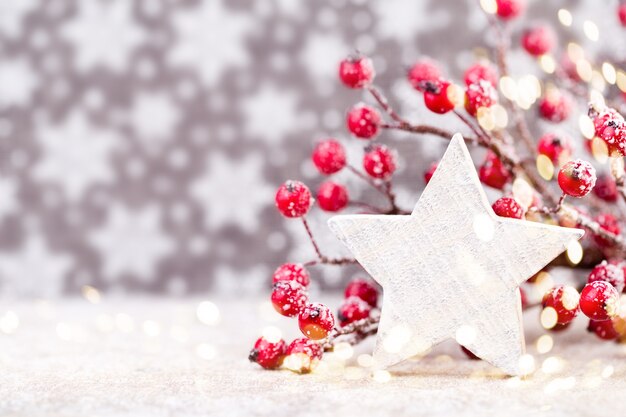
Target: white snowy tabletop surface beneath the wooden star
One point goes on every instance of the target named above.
(144, 357)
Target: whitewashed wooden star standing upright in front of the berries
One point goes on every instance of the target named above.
(452, 268)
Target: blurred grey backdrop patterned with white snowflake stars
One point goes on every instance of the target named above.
(141, 142)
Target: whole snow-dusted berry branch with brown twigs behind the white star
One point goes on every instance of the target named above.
(538, 178)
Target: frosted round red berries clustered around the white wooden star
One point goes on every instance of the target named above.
(598, 299)
